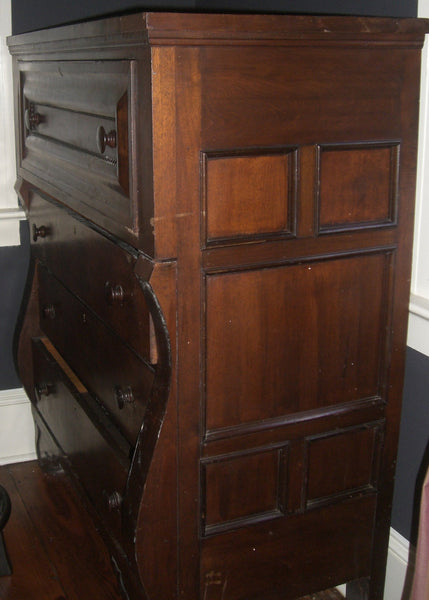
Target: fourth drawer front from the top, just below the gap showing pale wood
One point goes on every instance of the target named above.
(94, 462)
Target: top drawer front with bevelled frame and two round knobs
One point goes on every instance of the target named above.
(75, 132)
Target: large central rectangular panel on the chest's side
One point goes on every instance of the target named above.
(306, 336)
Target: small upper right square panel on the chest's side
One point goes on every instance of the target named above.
(358, 186)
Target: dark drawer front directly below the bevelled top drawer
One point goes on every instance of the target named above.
(80, 256)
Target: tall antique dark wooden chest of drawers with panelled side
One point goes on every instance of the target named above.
(221, 209)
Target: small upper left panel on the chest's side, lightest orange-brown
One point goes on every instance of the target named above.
(249, 194)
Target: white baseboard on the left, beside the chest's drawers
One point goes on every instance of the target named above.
(16, 427)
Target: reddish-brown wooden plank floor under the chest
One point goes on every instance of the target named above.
(55, 550)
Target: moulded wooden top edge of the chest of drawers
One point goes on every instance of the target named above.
(164, 28)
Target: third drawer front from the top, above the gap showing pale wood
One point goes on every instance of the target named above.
(114, 374)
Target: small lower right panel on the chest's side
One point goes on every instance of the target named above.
(342, 463)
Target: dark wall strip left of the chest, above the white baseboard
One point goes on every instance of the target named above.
(13, 269)
